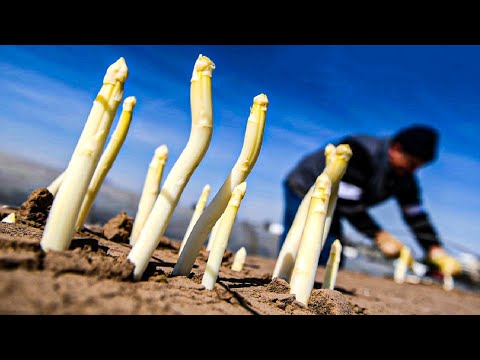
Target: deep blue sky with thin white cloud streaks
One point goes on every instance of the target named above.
(316, 93)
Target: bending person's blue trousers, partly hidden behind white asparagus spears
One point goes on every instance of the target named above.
(291, 203)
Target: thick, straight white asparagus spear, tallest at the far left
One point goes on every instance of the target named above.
(63, 215)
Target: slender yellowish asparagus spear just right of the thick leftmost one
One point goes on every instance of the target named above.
(107, 159)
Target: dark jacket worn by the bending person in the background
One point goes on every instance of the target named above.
(368, 181)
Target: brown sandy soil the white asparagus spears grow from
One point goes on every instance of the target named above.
(94, 277)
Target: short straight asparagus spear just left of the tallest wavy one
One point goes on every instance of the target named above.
(151, 188)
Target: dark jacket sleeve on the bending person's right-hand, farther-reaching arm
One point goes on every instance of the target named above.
(415, 215)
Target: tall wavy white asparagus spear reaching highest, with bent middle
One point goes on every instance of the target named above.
(190, 158)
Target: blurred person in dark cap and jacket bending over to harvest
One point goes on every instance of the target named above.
(380, 168)
